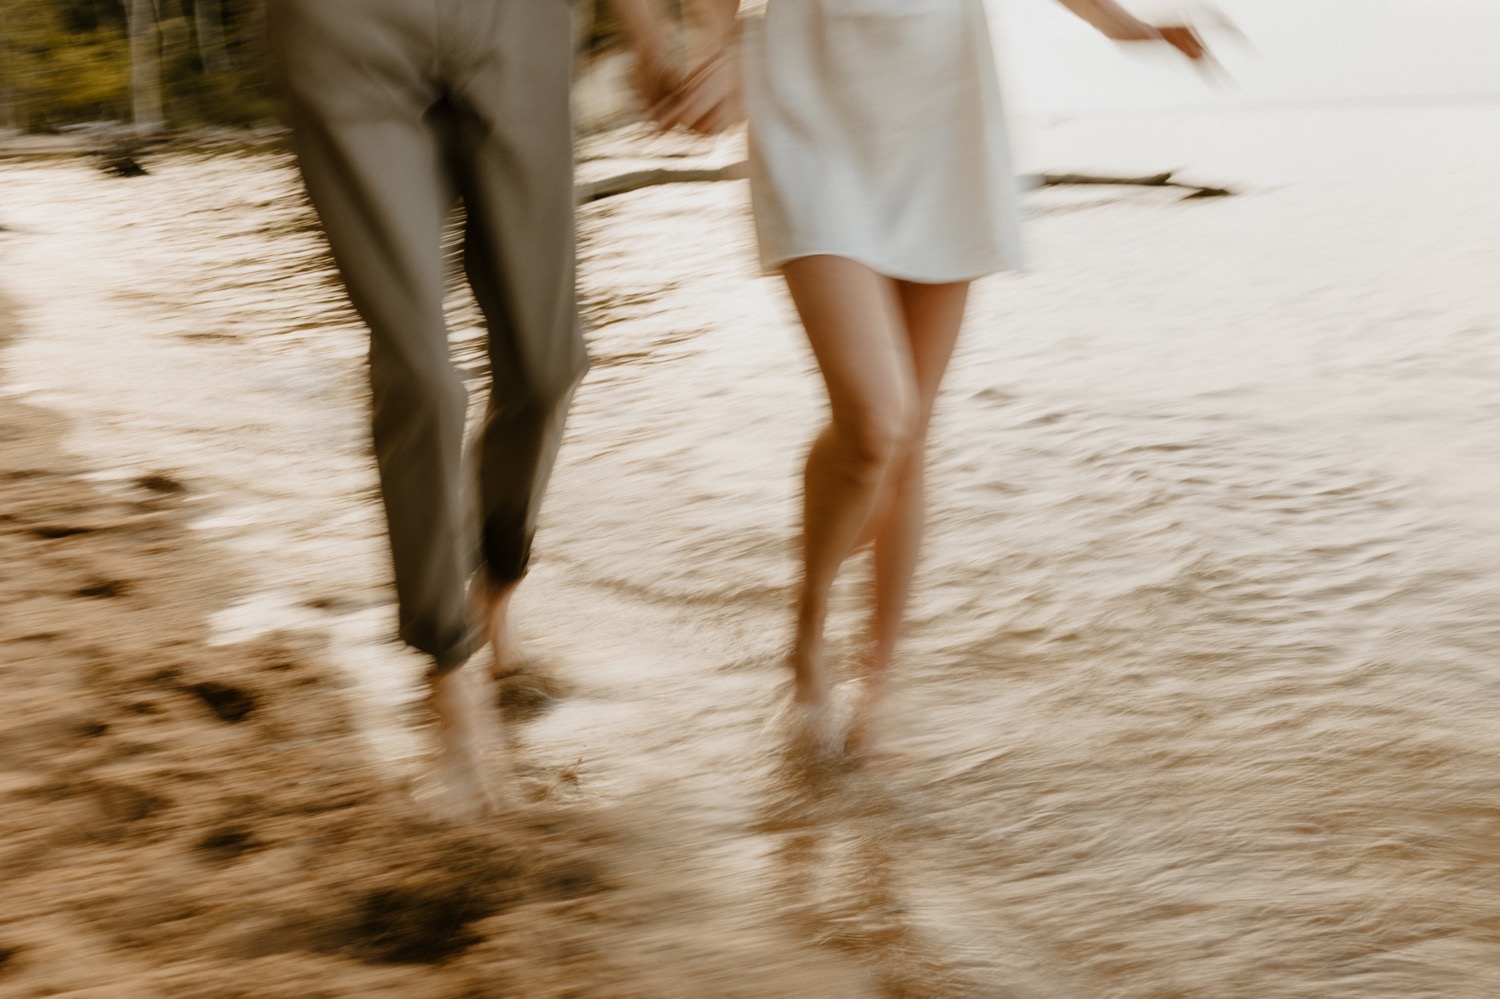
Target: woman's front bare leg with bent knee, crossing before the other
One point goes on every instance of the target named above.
(854, 323)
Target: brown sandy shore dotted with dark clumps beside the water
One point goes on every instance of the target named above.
(184, 820)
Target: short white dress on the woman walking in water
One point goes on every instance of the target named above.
(877, 134)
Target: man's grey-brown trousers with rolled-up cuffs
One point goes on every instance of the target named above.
(400, 107)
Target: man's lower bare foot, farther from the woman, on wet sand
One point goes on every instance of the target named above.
(464, 787)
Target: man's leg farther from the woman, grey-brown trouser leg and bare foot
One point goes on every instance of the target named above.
(374, 157)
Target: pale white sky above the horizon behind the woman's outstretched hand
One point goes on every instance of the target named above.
(1297, 50)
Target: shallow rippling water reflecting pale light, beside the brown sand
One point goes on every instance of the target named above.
(1202, 692)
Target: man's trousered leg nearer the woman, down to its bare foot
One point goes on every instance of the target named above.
(517, 179)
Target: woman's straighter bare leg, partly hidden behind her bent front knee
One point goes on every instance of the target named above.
(934, 316)
